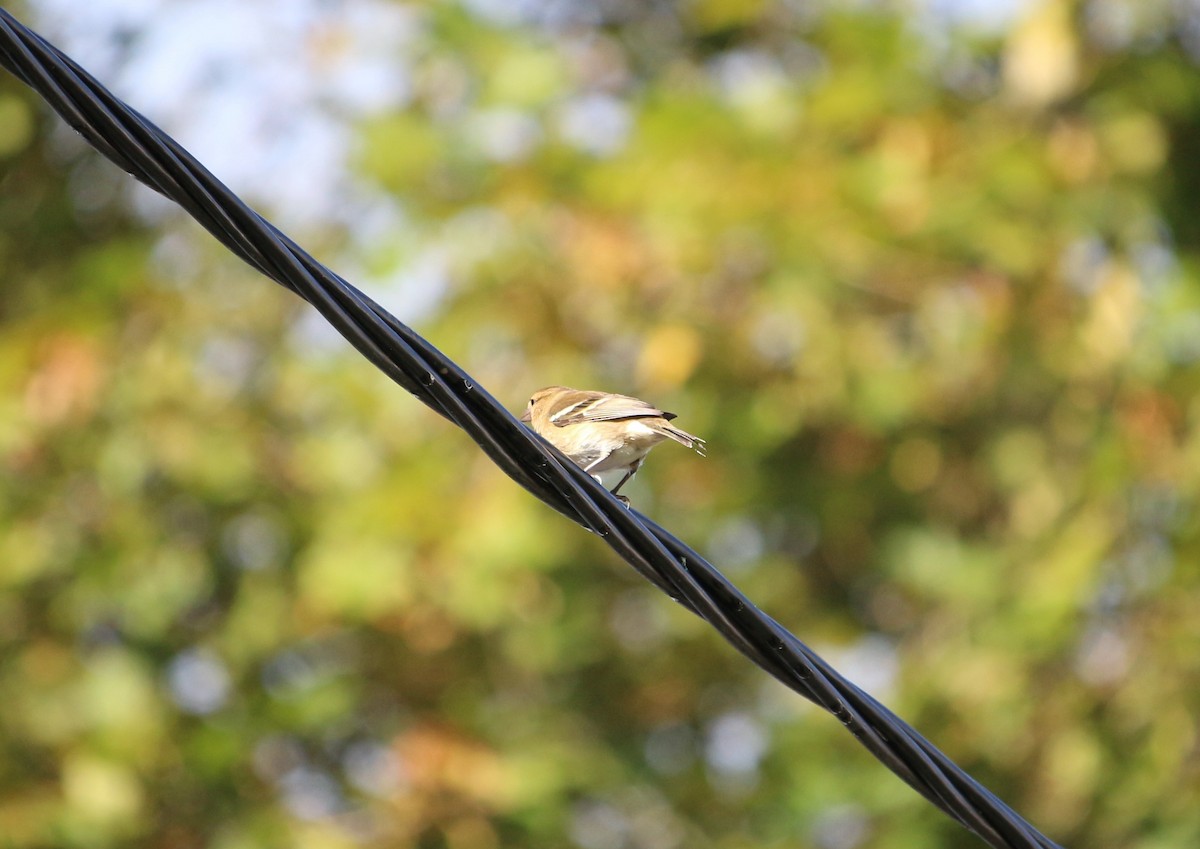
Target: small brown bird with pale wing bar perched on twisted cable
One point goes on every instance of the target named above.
(603, 432)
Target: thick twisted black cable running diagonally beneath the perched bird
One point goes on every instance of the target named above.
(142, 149)
